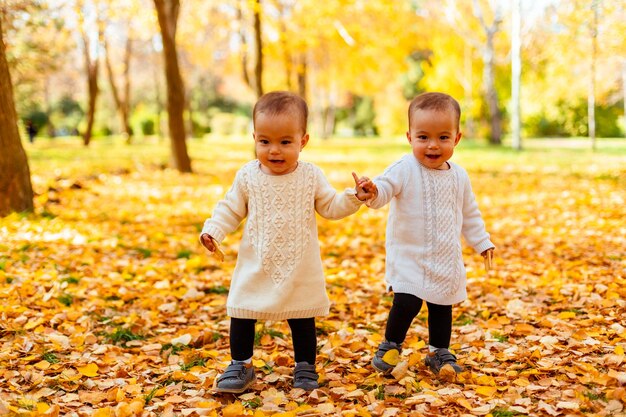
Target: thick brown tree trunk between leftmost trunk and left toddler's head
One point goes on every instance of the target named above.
(167, 12)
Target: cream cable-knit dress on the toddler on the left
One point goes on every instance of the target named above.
(279, 271)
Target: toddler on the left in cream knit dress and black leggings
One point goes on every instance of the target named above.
(279, 273)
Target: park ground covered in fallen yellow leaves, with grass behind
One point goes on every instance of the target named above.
(110, 307)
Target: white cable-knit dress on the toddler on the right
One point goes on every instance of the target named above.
(430, 210)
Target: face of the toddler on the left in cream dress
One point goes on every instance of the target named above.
(278, 140)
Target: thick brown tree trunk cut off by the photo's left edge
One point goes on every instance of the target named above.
(16, 191)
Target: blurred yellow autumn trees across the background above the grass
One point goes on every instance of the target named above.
(356, 62)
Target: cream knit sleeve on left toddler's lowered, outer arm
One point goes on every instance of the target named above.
(229, 212)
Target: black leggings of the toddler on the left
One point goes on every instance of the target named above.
(302, 331)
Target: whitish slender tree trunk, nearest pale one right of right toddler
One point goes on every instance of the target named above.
(516, 75)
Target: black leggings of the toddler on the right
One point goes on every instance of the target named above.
(404, 309)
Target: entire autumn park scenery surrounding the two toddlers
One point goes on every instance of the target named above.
(110, 307)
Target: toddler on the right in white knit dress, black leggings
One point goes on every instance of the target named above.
(432, 205)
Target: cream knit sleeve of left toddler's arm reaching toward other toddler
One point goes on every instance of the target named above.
(333, 205)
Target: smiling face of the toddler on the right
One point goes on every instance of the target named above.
(433, 135)
